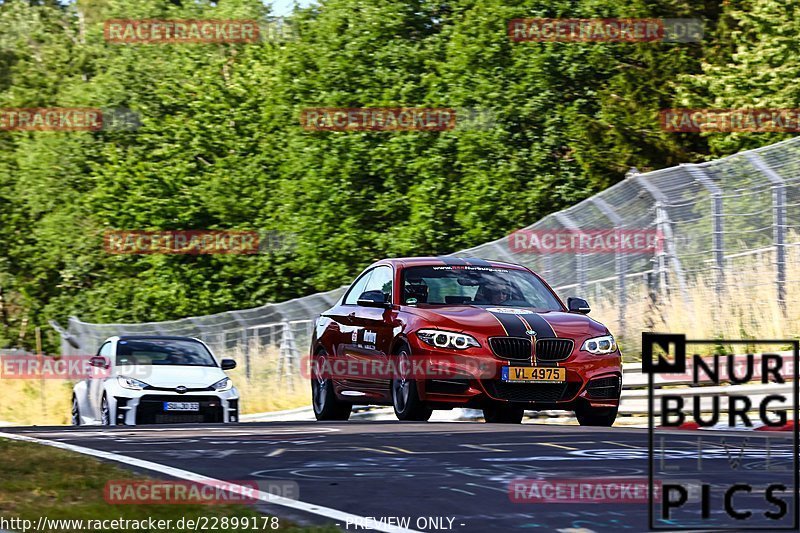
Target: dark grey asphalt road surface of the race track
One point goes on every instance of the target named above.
(456, 476)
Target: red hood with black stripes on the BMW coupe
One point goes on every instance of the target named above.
(513, 321)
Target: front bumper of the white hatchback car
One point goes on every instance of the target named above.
(130, 407)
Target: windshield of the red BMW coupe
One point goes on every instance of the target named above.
(471, 285)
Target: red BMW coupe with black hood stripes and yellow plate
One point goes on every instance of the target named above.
(441, 332)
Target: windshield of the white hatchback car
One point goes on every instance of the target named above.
(163, 352)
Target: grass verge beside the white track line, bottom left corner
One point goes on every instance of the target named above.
(43, 481)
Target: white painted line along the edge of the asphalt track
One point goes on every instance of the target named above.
(306, 507)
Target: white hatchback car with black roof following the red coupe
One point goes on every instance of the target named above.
(155, 380)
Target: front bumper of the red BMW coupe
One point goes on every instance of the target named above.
(473, 380)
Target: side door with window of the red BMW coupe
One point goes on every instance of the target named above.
(373, 333)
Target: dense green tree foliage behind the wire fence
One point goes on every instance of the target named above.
(220, 144)
